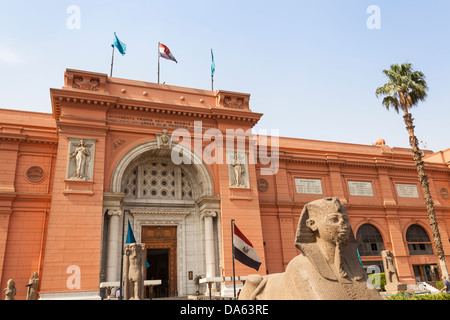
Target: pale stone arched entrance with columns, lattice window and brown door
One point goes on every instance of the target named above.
(171, 209)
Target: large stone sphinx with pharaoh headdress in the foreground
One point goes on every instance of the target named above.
(327, 269)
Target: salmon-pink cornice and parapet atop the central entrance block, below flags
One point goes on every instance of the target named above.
(88, 89)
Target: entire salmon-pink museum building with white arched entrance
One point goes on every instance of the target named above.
(179, 164)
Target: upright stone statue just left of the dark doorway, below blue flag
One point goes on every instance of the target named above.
(134, 268)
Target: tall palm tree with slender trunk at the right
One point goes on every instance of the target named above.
(405, 89)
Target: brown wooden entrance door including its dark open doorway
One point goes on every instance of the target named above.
(161, 245)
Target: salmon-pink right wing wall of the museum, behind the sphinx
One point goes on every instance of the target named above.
(335, 164)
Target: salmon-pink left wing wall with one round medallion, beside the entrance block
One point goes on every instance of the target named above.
(27, 153)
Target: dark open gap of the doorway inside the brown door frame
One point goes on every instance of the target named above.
(158, 259)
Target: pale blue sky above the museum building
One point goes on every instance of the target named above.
(311, 67)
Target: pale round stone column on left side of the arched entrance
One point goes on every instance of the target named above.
(113, 263)
